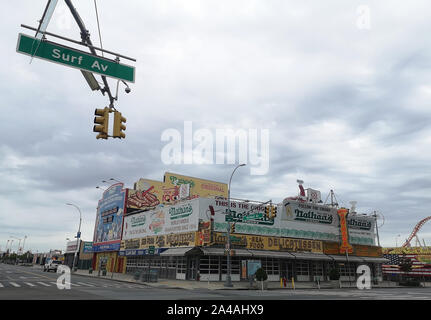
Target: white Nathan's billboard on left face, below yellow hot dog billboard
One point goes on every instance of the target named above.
(181, 217)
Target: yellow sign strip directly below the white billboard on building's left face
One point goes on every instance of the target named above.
(187, 239)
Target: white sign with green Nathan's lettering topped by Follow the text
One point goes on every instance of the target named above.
(304, 212)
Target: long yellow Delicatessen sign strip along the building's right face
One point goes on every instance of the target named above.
(271, 243)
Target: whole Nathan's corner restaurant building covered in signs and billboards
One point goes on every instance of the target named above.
(178, 227)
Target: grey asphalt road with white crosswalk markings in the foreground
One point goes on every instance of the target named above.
(27, 283)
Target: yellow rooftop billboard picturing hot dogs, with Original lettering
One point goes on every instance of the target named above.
(148, 193)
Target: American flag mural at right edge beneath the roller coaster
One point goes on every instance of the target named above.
(419, 268)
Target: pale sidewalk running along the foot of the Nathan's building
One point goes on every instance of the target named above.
(219, 285)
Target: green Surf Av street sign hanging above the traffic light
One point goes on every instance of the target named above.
(74, 58)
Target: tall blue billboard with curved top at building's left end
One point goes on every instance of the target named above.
(109, 219)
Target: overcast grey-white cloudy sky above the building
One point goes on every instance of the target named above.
(344, 95)
